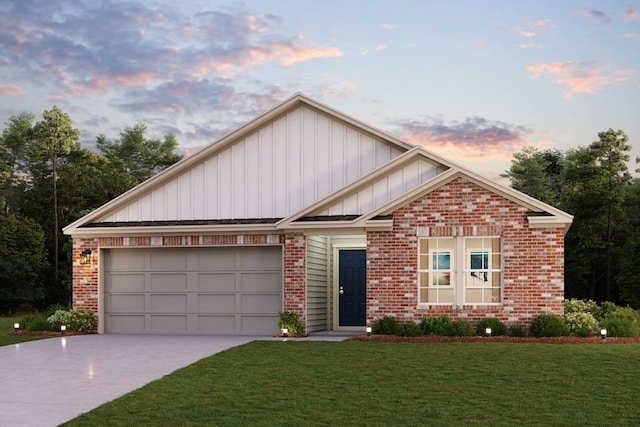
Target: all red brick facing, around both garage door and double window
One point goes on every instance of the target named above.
(533, 258)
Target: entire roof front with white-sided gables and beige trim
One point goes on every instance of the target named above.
(381, 175)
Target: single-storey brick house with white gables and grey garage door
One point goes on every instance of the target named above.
(309, 210)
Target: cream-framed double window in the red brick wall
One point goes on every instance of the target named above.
(459, 270)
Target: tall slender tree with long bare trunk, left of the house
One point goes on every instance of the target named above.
(54, 138)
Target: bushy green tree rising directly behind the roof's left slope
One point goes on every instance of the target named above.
(137, 157)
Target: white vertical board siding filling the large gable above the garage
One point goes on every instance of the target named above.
(273, 172)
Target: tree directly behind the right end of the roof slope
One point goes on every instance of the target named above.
(538, 174)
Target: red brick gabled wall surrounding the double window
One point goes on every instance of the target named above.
(533, 258)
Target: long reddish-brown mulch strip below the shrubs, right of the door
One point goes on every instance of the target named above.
(504, 339)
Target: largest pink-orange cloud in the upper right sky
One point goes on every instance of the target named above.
(580, 77)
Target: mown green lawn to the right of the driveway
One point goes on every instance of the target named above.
(390, 384)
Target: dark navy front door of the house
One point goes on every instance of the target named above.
(352, 287)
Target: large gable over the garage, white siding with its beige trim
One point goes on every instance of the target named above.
(146, 197)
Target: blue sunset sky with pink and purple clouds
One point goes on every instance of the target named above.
(474, 81)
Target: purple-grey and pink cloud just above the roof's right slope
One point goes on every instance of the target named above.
(474, 138)
